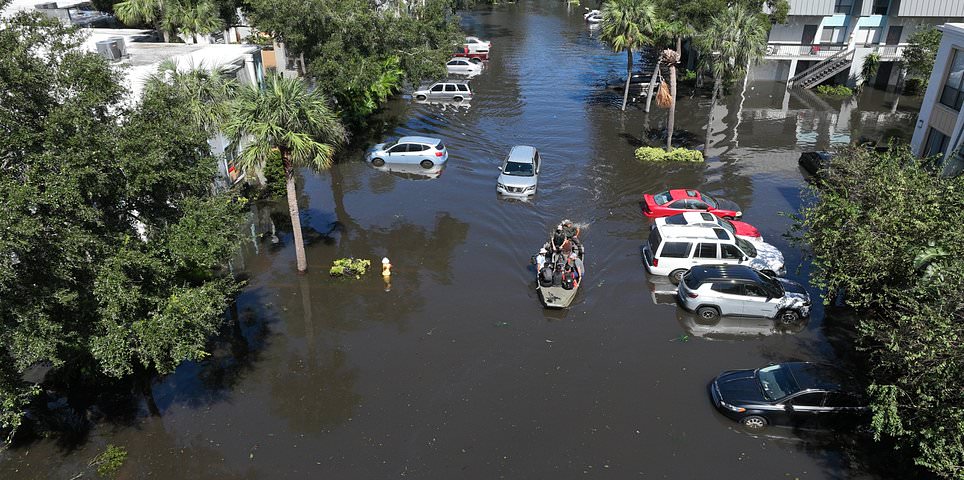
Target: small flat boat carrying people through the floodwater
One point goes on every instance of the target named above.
(563, 270)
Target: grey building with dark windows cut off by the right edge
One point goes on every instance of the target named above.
(940, 125)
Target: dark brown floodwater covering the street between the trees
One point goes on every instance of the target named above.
(455, 370)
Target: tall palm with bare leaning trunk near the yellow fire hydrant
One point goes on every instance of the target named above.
(287, 117)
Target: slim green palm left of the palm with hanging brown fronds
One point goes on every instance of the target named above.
(626, 26)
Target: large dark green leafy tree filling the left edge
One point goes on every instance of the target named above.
(109, 236)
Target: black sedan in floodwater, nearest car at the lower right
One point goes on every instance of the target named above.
(799, 394)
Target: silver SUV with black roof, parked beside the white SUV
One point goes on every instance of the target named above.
(739, 290)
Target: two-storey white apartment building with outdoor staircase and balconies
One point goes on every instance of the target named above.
(826, 40)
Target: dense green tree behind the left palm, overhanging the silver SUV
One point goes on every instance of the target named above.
(357, 55)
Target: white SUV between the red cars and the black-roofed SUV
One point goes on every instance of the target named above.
(673, 249)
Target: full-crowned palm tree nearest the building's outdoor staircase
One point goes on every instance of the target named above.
(731, 43)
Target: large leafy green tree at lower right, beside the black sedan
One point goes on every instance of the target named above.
(882, 236)
